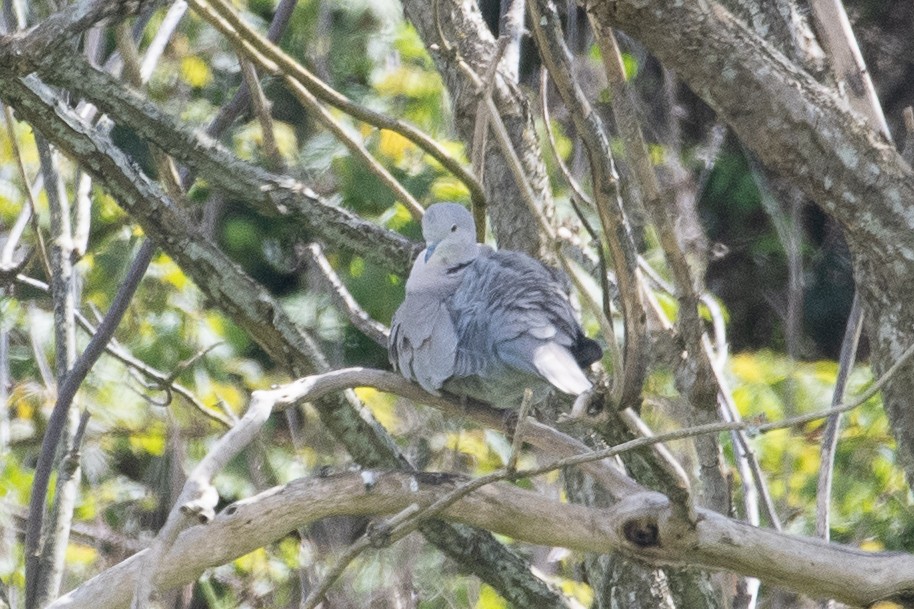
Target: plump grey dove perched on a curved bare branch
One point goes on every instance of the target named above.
(486, 324)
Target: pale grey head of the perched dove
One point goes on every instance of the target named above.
(450, 234)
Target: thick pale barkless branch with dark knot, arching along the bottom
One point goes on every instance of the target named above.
(640, 527)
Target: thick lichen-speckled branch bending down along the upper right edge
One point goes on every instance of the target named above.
(806, 133)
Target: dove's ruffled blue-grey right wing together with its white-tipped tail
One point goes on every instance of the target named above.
(512, 313)
